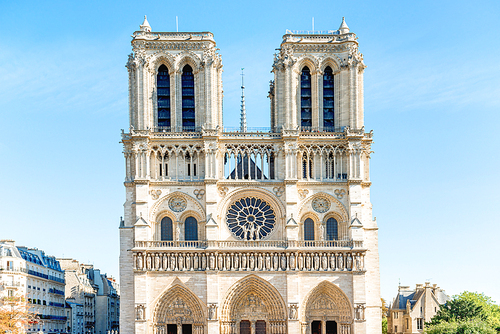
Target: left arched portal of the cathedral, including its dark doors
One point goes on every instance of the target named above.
(179, 311)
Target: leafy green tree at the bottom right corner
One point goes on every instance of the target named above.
(468, 313)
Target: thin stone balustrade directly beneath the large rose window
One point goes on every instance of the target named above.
(251, 244)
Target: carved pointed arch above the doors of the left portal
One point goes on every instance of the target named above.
(179, 304)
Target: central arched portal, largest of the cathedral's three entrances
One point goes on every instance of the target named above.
(252, 302)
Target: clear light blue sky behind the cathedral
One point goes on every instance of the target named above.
(432, 97)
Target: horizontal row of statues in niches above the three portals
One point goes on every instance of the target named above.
(350, 261)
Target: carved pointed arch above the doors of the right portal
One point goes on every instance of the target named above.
(328, 302)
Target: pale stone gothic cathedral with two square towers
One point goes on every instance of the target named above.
(239, 231)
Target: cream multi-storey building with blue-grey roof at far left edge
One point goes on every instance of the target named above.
(30, 273)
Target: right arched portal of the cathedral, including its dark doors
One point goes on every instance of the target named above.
(327, 310)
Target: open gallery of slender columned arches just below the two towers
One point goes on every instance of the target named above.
(244, 161)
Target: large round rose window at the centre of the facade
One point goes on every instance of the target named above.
(250, 218)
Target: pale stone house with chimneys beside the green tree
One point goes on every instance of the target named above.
(411, 309)
